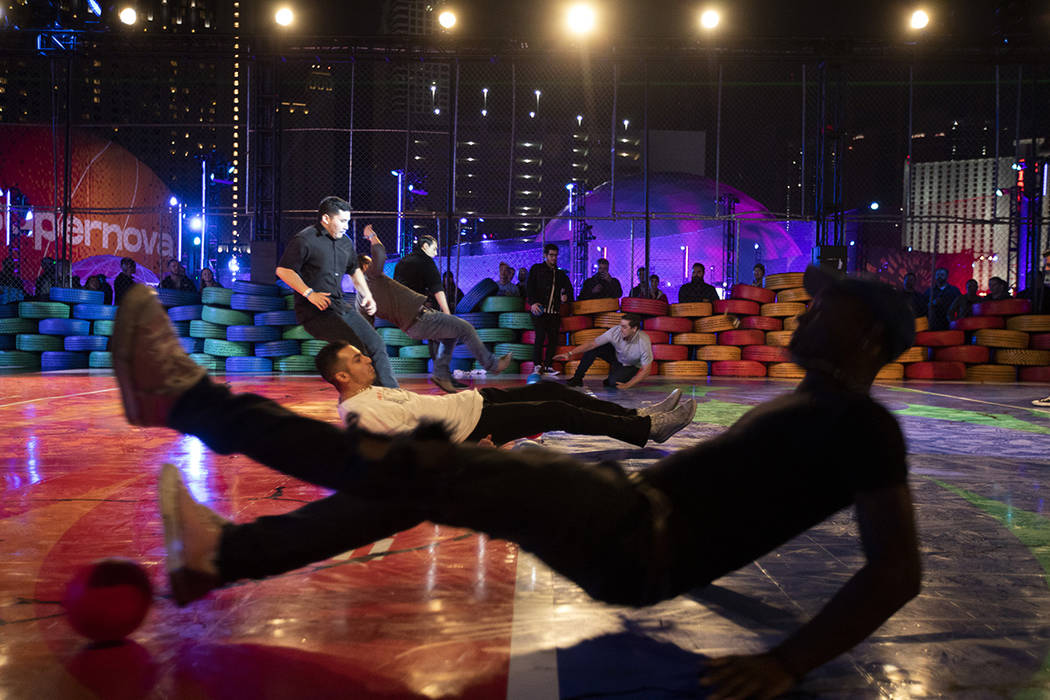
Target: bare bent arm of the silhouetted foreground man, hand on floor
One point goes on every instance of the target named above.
(890, 580)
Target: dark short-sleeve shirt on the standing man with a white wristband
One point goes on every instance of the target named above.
(321, 261)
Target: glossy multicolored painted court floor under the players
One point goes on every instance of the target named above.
(437, 612)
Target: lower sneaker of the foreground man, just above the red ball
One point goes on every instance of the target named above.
(192, 537)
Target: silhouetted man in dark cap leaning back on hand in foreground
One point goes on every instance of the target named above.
(625, 539)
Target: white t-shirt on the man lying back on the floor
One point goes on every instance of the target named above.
(391, 412)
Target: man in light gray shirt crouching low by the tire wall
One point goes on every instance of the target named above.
(627, 350)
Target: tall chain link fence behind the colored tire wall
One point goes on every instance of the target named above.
(730, 162)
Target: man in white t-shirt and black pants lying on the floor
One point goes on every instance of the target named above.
(501, 414)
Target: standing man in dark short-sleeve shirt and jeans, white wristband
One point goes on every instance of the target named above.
(313, 266)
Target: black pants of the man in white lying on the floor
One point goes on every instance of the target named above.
(527, 411)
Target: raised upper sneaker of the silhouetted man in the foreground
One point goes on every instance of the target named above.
(153, 370)
